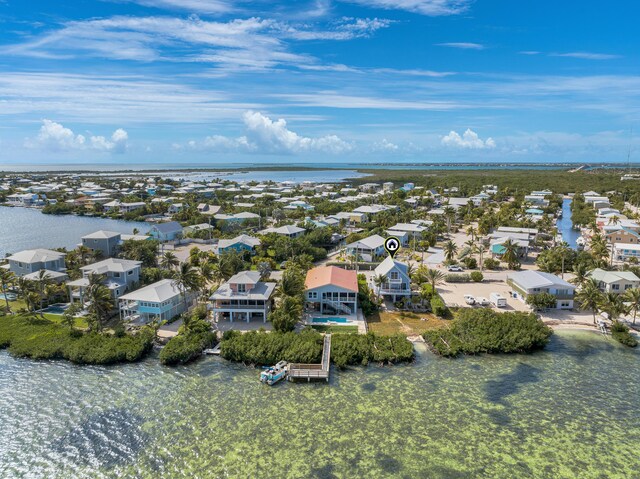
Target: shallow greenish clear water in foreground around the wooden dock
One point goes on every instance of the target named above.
(572, 411)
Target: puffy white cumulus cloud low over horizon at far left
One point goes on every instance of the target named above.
(56, 137)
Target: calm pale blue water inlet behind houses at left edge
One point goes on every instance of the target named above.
(27, 228)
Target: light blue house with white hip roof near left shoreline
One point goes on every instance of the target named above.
(161, 301)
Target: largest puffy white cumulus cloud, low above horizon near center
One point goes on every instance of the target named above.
(264, 135)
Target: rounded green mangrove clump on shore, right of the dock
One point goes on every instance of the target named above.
(477, 331)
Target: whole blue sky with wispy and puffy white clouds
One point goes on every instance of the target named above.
(318, 81)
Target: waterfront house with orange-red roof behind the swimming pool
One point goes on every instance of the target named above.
(331, 289)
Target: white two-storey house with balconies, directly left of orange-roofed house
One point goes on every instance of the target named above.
(243, 296)
